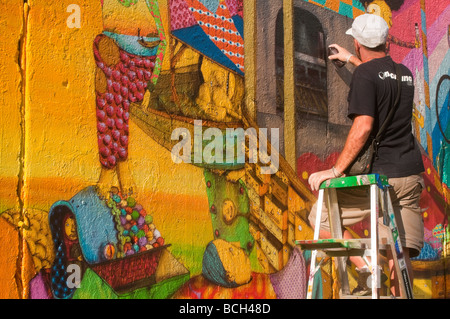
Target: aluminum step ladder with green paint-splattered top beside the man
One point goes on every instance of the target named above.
(339, 248)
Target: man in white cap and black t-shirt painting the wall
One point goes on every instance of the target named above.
(372, 93)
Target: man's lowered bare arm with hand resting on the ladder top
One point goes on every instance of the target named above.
(357, 137)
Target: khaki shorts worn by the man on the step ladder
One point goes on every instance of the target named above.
(405, 193)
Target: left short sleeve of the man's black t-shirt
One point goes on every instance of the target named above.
(362, 98)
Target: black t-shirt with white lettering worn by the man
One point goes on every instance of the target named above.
(372, 92)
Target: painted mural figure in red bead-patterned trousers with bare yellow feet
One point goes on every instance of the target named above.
(128, 55)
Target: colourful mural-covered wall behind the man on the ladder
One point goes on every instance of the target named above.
(114, 168)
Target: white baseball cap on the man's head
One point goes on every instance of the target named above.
(370, 30)
